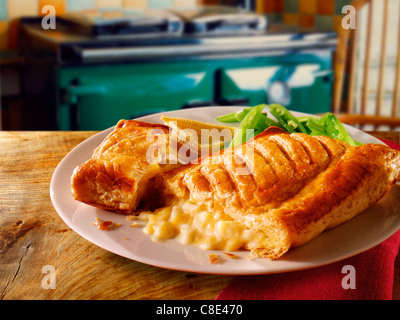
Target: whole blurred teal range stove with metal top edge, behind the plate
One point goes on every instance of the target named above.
(86, 81)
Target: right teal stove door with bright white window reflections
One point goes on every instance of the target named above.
(303, 83)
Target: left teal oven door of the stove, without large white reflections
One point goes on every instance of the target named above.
(95, 98)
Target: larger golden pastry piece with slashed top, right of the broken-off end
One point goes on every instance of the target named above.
(300, 186)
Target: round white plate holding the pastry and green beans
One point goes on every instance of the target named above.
(361, 233)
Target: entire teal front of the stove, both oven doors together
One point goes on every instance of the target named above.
(95, 97)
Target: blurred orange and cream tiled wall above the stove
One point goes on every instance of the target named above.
(319, 14)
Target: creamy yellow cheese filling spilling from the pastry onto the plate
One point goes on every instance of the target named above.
(190, 223)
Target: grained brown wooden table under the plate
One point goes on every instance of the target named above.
(32, 236)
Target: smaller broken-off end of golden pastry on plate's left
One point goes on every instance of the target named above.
(116, 175)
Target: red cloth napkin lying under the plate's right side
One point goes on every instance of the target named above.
(373, 269)
